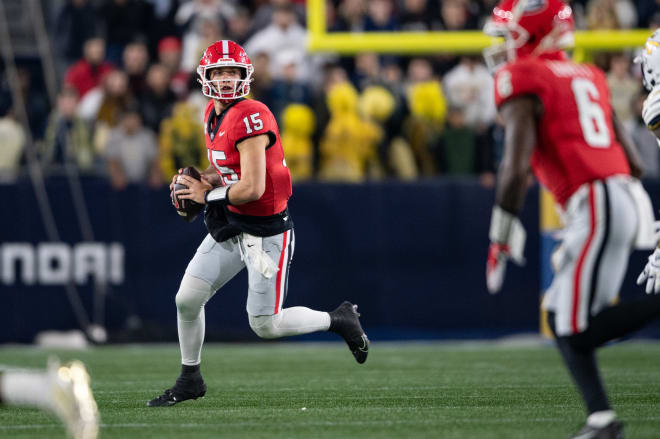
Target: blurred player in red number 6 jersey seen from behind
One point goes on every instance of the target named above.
(559, 122)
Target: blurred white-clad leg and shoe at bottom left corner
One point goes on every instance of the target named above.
(63, 390)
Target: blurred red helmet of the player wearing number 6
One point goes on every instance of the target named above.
(529, 27)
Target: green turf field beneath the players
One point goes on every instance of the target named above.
(403, 391)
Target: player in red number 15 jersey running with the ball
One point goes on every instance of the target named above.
(246, 190)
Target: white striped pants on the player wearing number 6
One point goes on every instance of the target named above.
(600, 227)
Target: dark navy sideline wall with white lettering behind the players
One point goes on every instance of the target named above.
(412, 255)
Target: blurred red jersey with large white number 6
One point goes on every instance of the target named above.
(576, 140)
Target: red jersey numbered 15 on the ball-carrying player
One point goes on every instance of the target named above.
(248, 118)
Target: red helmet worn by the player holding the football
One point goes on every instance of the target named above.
(225, 53)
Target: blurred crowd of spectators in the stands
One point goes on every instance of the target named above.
(129, 104)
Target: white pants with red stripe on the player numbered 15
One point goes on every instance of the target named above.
(267, 261)
